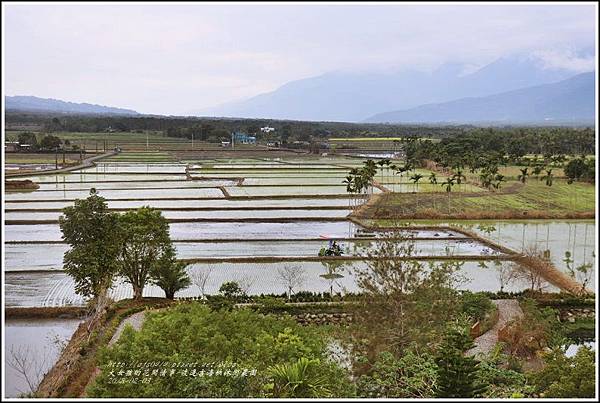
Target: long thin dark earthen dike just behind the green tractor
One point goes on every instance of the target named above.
(230, 240)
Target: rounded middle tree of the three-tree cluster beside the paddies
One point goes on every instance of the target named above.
(145, 242)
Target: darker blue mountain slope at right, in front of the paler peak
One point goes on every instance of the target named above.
(567, 101)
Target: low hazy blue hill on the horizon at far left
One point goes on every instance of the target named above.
(35, 104)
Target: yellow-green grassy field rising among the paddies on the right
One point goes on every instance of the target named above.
(531, 200)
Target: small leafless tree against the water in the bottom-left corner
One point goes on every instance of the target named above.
(29, 364)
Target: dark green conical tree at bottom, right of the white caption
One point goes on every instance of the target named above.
(457, 373)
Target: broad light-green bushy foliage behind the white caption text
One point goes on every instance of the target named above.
(237, 340)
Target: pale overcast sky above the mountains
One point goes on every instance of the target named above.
(172, 59)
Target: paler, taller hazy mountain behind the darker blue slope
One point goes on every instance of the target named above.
(354, 97)
